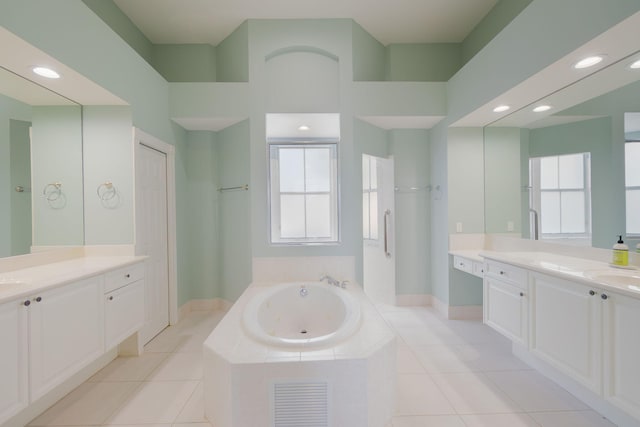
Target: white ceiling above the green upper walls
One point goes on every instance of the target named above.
(398, 21)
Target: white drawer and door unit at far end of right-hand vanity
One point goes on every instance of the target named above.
(505, 306)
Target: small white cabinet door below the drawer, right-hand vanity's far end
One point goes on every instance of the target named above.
(505, 309)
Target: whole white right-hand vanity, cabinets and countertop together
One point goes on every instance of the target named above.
(574, 319)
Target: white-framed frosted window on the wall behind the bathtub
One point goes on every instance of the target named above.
(304, 193)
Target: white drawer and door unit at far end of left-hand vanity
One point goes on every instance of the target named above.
(124, 303)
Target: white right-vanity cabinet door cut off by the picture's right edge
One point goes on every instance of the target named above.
(622, 352)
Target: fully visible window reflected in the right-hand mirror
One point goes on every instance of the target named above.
(561, 195)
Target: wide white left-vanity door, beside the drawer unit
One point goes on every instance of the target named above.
(67, 332)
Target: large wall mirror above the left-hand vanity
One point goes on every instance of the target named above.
(41, 168)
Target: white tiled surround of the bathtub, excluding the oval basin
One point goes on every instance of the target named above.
(352, 381)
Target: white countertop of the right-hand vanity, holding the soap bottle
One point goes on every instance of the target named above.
(586, 271)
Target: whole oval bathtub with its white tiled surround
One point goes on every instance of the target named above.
(305, 351)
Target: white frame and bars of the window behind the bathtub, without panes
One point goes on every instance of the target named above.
(275, 193)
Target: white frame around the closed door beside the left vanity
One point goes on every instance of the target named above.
(142, 138)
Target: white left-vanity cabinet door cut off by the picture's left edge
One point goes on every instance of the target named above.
(13, 359)
